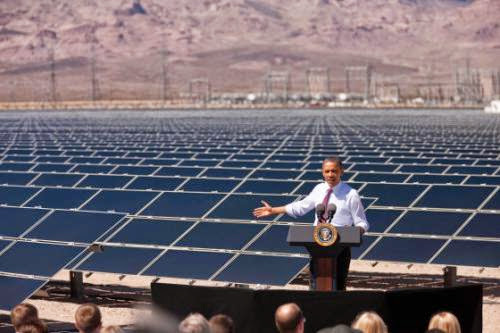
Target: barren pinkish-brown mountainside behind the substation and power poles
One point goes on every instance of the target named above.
(234, 43)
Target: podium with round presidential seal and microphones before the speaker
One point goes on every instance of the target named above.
(324, 256)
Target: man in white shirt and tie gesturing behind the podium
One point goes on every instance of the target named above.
(349, 210)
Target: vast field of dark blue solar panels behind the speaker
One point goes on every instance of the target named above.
(171, 193)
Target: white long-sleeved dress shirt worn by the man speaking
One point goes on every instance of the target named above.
(349, 211)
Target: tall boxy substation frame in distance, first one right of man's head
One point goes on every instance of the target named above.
(358, 81)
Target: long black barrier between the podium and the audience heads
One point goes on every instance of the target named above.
(407, 310)
